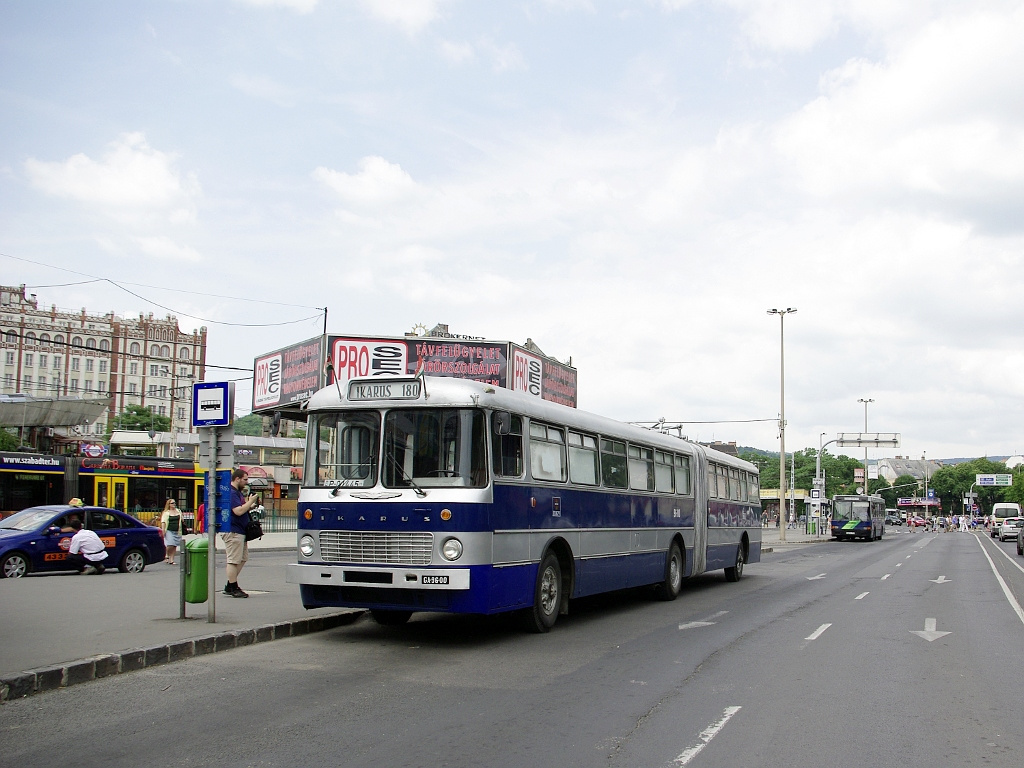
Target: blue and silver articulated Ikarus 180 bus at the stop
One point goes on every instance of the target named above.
(449, 495)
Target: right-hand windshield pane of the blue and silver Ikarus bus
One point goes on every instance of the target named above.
(435, 448)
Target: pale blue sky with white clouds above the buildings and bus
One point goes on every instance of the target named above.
(630, 184)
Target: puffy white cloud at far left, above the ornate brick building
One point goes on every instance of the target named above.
(130, 179)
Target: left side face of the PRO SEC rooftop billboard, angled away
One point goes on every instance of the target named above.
(289, 375)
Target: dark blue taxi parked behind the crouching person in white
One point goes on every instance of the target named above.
(37, 539)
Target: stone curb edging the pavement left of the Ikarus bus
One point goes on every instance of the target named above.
(41, 679)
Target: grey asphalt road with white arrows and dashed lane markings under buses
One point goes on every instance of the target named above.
(830, 655)
